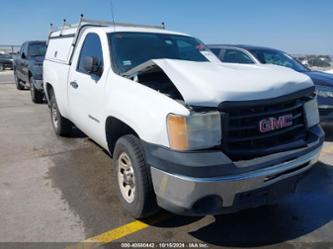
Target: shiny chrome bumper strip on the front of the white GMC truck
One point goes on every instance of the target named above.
(176, 192)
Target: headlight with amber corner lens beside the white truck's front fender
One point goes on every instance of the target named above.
(196, 131)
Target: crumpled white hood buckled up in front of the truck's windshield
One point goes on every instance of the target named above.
(209, 84)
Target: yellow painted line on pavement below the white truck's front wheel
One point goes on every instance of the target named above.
(119, 232)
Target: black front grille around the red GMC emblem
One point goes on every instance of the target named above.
(242, 138)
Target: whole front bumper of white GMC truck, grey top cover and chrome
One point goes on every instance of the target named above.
(215, 189)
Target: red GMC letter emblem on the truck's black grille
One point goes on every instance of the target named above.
(271, 124)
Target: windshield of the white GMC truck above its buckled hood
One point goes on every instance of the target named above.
(129, 49)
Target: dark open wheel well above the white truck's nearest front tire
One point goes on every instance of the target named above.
(115, 129)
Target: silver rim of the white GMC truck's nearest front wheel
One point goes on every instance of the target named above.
(126, 177)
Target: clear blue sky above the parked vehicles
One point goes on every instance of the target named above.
(295, 26)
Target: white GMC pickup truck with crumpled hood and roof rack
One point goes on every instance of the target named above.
(186, 132)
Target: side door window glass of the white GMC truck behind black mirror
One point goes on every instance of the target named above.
(91, 47)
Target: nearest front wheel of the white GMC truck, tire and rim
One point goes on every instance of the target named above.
(142, 203)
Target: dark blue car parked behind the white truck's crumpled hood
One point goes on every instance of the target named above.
(260, 55)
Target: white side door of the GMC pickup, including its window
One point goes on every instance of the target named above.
(86, 86)
